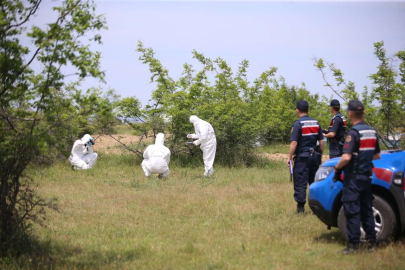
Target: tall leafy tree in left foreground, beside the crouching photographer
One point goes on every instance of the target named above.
(39, 111)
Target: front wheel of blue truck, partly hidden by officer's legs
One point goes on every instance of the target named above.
(385, 221)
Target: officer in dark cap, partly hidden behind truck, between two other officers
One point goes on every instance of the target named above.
(336, 131)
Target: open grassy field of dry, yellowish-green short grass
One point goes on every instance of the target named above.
(111, 217)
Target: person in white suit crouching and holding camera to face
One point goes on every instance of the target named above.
(83, 156)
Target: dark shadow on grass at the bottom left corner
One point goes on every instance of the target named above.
(50, 255)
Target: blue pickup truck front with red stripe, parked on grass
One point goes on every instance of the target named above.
(388, 189)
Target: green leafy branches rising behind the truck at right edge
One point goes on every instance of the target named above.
(385, 102)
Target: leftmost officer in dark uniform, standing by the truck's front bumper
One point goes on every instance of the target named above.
(305, 134)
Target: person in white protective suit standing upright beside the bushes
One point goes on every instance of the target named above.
(205, 137)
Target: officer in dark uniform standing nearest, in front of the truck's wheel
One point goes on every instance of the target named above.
(360, 148)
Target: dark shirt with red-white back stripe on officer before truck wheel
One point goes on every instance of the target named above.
(362, 144)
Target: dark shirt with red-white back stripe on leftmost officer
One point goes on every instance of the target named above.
(306, 131)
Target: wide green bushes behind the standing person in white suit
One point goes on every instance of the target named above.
(240, 112)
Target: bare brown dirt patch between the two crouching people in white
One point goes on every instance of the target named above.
(107, 144)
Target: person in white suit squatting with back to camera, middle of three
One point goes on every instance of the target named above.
(156, 158)
